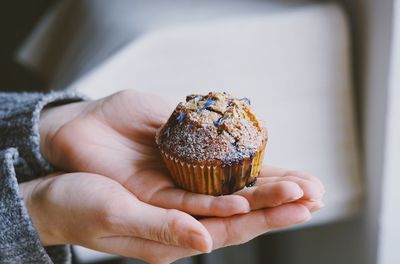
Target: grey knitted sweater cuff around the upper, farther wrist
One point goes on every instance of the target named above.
(19, 127)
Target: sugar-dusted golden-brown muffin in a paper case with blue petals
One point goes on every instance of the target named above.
(213, 144)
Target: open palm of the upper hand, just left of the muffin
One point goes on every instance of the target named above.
(114, 138)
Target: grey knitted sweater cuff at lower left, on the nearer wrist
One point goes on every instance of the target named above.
(19, 241)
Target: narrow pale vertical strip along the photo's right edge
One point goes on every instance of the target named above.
(390, 214)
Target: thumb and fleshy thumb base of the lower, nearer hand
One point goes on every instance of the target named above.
(90, 209)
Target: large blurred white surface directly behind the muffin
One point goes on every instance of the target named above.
(293, 64)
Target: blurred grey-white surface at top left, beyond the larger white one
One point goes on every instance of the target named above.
(77, 35)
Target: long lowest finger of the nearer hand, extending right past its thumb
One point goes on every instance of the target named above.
(241, 228)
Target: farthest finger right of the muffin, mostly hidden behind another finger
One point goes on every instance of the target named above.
(310, 189)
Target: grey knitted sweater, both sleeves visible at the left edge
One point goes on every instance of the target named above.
(20, 160)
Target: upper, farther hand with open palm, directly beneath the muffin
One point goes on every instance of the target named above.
(115, 137)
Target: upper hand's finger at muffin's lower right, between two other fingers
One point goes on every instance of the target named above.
(271, 194)
